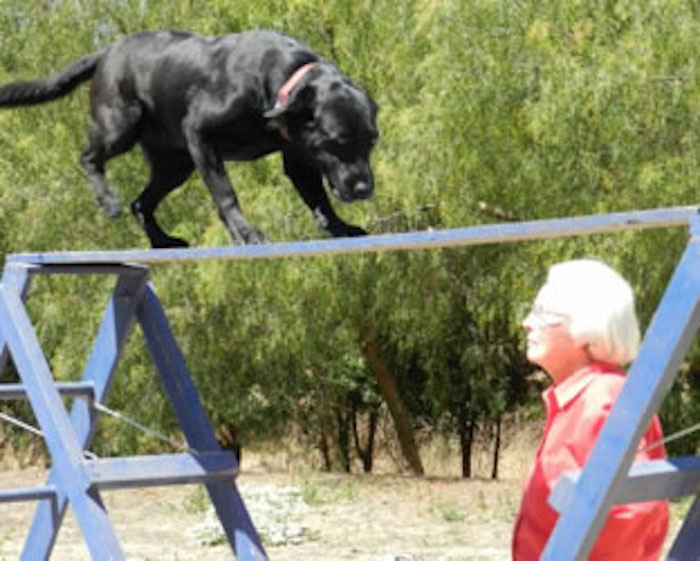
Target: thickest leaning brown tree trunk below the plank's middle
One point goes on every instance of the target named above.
(399, 414)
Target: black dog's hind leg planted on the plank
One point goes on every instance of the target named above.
(169, 170)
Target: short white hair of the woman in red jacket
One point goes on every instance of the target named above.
(600, 305)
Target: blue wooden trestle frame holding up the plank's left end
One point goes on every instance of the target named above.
(73, 478)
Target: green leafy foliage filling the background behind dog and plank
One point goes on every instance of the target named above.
(490, 111)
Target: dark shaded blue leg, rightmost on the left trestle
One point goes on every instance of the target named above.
(196, 426)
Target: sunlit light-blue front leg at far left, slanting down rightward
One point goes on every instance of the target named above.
(72, 476)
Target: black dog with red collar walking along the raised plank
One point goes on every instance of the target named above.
(195, 102)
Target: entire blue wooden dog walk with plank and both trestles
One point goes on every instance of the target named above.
(76, 479)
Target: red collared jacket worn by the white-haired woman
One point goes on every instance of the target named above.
(576, 411)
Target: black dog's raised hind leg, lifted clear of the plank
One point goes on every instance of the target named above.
(113, 132)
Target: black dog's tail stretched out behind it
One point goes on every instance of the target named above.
(63, 82)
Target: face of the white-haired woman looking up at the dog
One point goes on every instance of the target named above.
(549, 341)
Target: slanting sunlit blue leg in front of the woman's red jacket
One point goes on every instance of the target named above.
(667, 339)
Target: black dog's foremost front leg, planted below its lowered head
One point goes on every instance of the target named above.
(309, 184)
